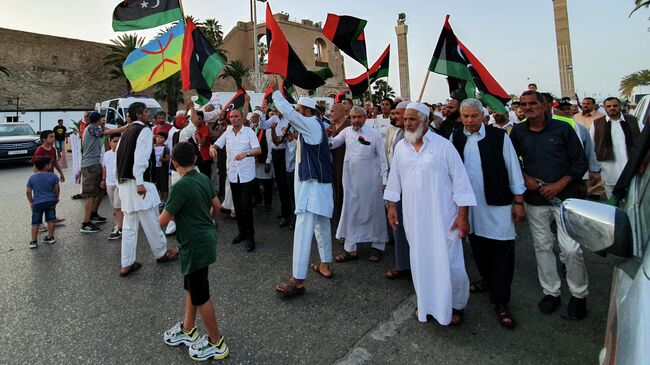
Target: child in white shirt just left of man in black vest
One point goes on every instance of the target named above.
(109, 182)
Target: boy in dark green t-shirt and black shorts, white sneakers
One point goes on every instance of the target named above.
(189, 204)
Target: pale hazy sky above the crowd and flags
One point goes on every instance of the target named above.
(514, 39)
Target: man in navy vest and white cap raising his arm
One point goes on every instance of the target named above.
(313, 190)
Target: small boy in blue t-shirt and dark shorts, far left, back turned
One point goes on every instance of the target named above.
(43, 195)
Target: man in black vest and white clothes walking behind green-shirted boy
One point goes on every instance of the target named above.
(138, 194)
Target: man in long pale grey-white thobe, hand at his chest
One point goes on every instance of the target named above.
(365, 172)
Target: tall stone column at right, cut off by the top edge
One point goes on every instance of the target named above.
(563, 40)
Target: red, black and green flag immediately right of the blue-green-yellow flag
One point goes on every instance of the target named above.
(201, 63)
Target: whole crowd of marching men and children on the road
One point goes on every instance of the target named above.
(421, 178)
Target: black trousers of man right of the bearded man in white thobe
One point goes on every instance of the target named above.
(495, 261)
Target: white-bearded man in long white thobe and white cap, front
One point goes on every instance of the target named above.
(429, 178)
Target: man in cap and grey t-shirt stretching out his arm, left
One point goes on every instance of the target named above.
(91, 170)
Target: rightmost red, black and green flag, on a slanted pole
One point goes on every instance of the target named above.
(465, 73)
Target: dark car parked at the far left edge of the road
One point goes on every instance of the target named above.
(18, 141)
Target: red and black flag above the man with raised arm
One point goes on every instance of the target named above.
(284, 61)
